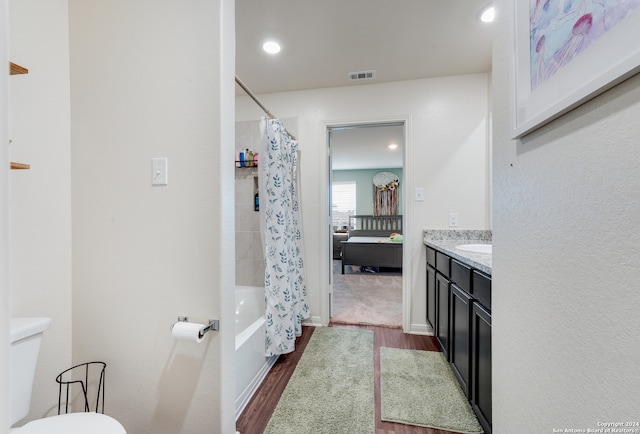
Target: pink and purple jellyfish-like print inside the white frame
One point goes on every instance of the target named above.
(562, 29)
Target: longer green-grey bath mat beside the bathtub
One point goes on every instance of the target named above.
(331, 389)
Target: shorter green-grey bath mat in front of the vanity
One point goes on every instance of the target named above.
(419, 388)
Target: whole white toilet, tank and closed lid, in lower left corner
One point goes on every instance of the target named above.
(25, 338)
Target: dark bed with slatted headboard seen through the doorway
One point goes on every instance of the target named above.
(368, 242)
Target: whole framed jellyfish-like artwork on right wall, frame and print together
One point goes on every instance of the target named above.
(566, 52)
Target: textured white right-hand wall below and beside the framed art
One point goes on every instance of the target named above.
(566, 339)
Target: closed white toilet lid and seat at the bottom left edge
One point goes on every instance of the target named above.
(72, 423)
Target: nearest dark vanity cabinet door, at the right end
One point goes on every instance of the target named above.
(481, 365)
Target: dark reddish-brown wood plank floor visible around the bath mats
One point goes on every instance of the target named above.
(256, 415)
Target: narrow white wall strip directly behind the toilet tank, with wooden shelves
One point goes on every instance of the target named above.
(41, 197)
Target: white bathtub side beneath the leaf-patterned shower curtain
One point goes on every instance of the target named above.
(251, 364)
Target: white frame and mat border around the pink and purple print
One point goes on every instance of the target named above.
(610, 59)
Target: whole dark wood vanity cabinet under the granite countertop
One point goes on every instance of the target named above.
(459, 311)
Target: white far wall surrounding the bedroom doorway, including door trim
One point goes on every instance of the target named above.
(447, 157)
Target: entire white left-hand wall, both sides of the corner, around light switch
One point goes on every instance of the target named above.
(155, 87)
